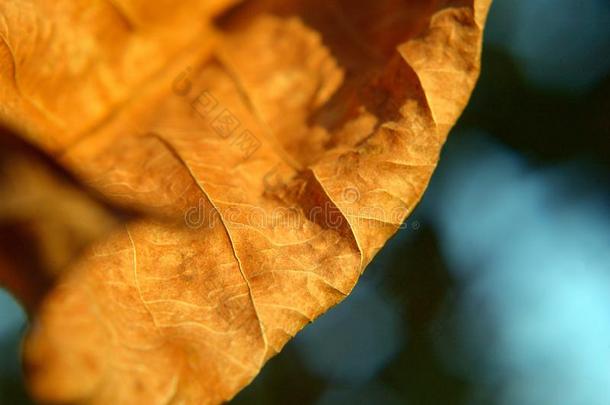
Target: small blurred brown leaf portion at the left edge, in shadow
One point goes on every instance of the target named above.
(46, 219)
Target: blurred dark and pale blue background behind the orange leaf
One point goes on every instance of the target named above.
(498, 289)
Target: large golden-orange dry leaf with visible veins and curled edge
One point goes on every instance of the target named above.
(286, 140)
